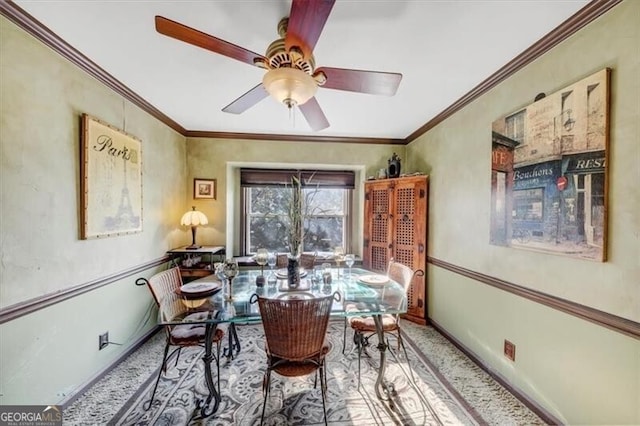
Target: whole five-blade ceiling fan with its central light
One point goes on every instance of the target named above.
(291, 76)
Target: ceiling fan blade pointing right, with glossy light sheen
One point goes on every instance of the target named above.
(372, 82)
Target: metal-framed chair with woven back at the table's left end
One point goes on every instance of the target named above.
(163, 286)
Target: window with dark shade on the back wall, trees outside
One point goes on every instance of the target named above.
(327, 209)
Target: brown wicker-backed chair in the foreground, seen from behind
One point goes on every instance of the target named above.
(295, 332)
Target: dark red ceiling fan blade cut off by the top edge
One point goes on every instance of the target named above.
(306, 21)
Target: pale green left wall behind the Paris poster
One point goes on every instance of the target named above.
(47, 355)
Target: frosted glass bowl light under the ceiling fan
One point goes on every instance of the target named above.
(290, 86)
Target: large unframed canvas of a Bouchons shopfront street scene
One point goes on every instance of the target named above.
(549, 172)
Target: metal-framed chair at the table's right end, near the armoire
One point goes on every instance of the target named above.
(364, 326)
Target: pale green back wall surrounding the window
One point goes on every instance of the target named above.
(222, 158)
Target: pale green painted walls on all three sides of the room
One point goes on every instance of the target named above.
(580, 372)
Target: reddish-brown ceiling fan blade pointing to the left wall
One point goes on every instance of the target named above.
(198, 38)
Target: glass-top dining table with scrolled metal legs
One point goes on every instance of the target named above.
(361, 293)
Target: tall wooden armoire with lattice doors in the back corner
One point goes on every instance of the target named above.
(395, 226)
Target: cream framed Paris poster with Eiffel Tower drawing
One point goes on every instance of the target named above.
(111, 180)
